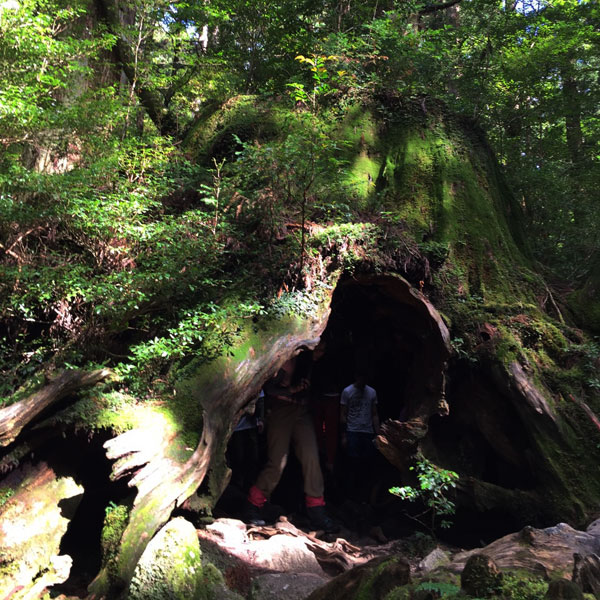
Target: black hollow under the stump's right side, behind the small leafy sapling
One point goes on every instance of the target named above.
(483, 437)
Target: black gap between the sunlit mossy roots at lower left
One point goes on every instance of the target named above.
(82, 457)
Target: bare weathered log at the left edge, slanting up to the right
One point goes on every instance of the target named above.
(15, 417)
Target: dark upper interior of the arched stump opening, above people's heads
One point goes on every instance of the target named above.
(379, 326)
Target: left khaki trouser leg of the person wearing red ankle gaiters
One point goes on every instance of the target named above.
(280, 424)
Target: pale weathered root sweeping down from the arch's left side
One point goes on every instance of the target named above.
(219, 392)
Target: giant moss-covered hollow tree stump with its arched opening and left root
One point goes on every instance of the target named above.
(495, 386)
